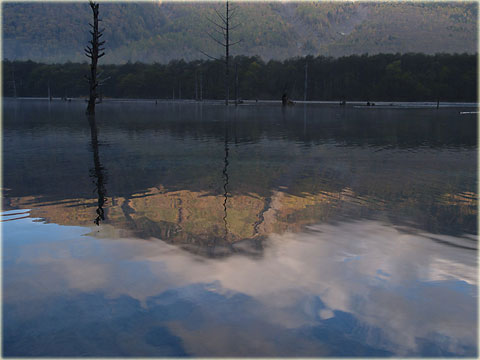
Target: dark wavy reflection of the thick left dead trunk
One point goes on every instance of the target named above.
(98, 171)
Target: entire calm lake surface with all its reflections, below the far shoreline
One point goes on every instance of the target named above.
(256, 231)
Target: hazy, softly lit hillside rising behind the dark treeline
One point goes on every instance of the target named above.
(159, 32)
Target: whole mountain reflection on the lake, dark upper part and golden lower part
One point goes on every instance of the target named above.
(165, 168)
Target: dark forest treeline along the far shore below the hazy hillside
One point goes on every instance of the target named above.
(388, 77)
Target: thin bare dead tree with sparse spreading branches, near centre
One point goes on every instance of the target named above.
(222, 28)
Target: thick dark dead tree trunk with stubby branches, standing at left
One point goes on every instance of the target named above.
(94, 51)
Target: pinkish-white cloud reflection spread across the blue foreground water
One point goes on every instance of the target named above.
(407, 285)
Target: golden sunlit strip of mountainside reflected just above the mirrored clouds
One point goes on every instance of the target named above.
(189, 217)
